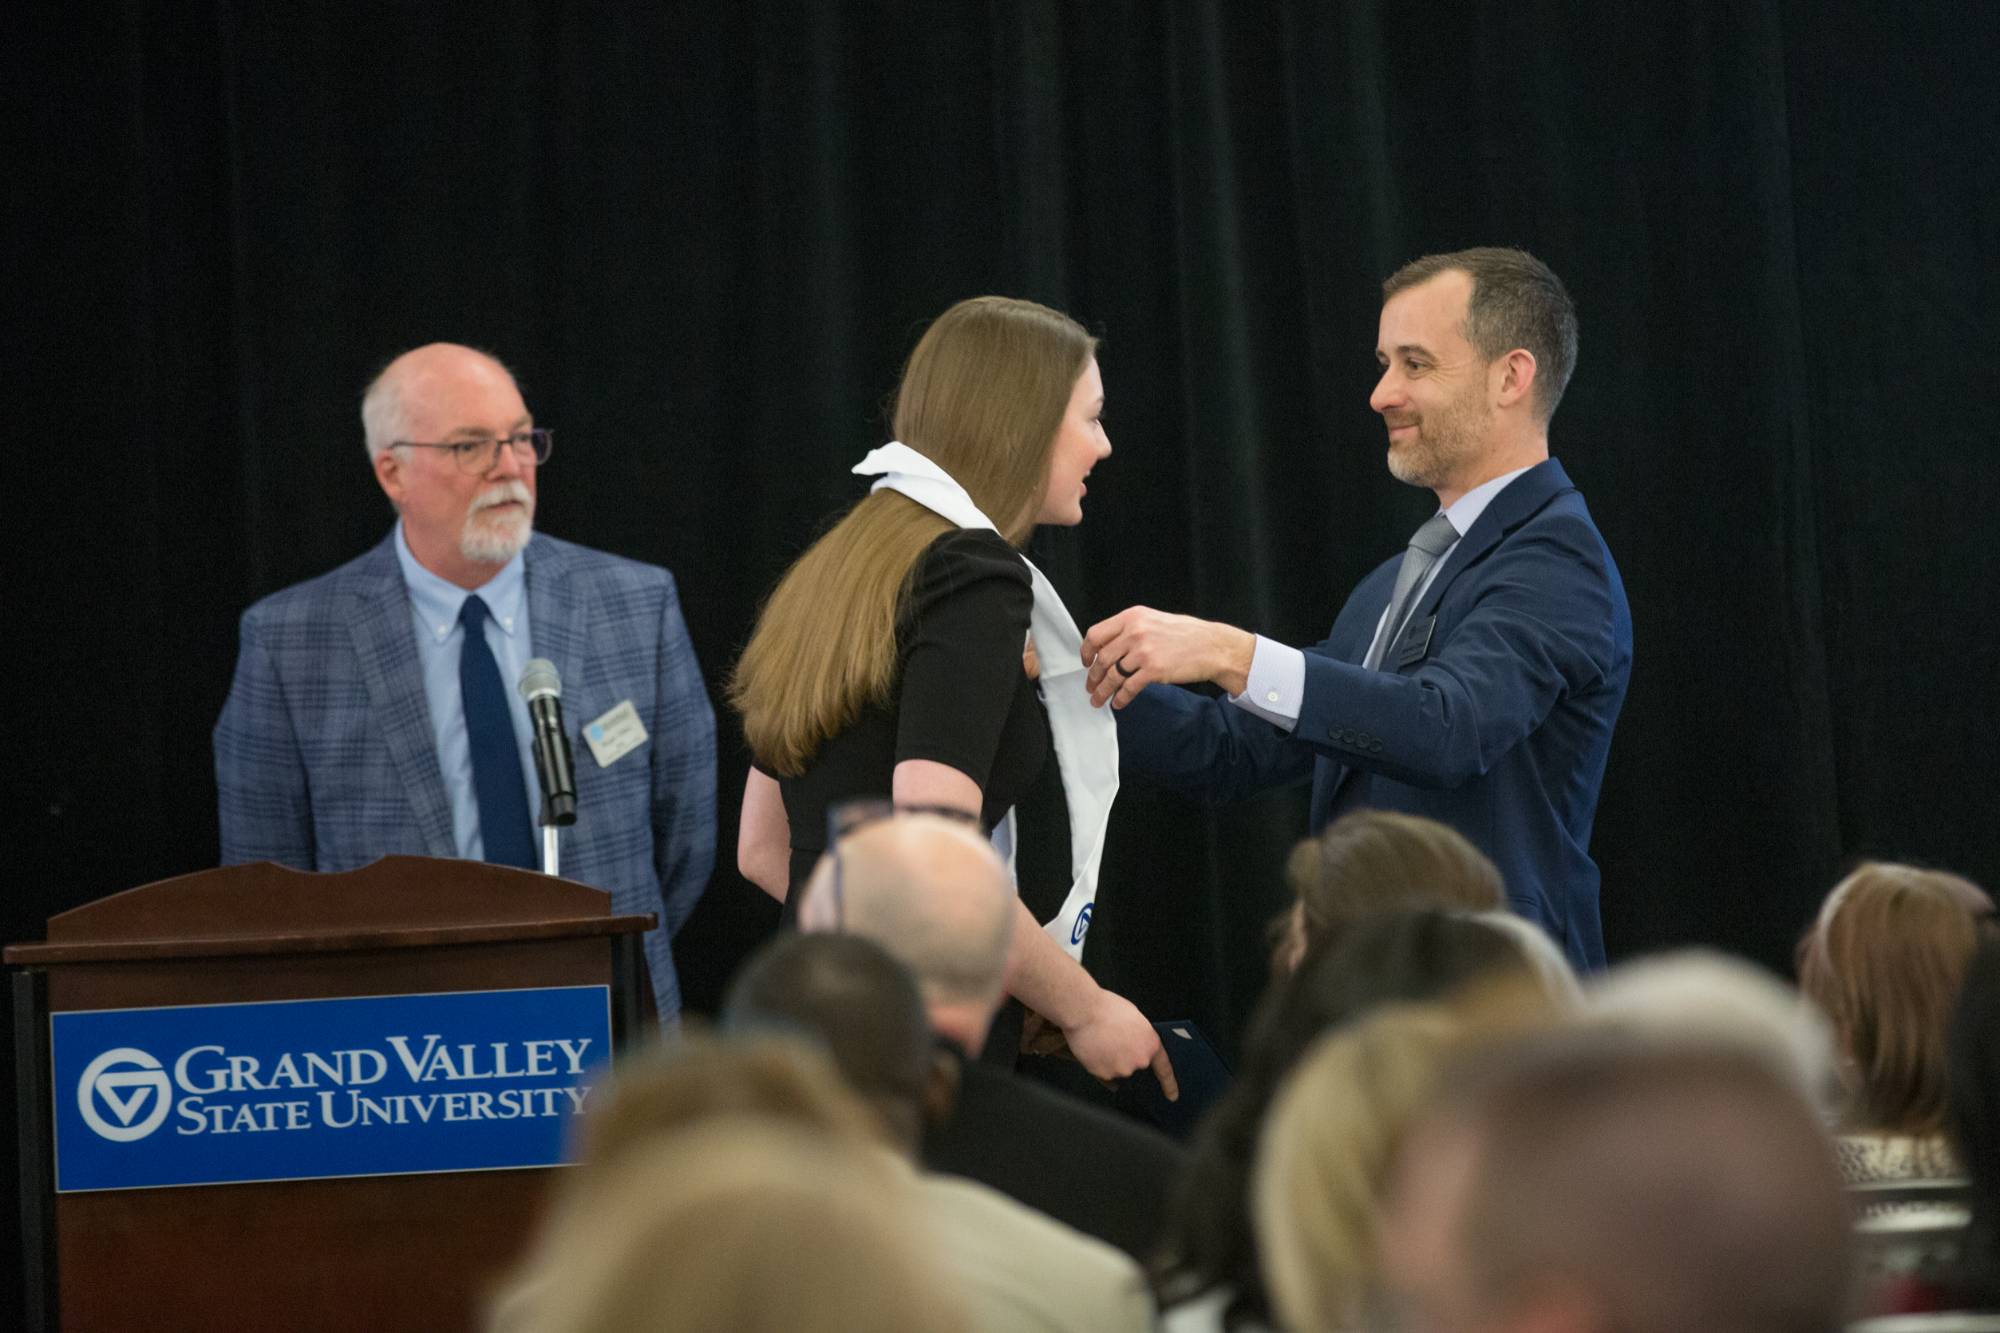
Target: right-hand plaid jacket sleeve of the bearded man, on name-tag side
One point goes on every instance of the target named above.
(683, 772)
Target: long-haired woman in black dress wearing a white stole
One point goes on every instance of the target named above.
(895, 657)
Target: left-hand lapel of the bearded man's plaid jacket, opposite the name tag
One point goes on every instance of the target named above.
(385, 645)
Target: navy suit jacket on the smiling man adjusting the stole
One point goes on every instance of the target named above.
(1493, 712)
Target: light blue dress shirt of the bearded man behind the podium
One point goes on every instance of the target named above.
(439, 643)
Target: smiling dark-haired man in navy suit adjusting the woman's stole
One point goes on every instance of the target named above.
(1487, 700)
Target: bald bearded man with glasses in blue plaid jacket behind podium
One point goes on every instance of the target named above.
(375, 710)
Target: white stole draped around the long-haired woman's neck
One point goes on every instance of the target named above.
(1087, 740)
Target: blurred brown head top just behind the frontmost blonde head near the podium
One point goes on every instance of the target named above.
(681, 1084)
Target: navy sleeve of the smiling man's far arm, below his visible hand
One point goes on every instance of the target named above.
(1205, 748)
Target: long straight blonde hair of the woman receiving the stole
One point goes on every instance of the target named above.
(983, 397)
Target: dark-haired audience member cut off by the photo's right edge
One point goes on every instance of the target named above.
(1975, 1120)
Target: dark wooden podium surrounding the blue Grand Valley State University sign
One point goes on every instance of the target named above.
(381, 1252)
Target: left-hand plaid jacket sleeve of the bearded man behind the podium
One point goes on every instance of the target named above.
(263, 796)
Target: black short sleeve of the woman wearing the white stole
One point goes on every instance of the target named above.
(963, 637)
